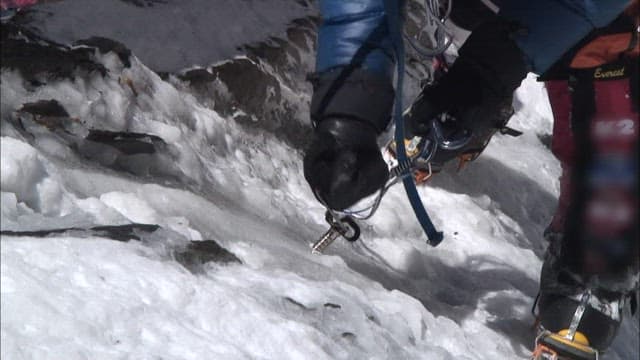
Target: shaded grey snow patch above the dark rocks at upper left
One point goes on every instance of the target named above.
(169, 35)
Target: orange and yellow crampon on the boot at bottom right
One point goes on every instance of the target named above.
(563, 346)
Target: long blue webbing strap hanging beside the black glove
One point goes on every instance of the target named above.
(392, 8)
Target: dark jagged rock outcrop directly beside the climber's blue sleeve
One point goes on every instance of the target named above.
(260, 90)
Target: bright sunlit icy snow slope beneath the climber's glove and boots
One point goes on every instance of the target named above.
(211, 164)
